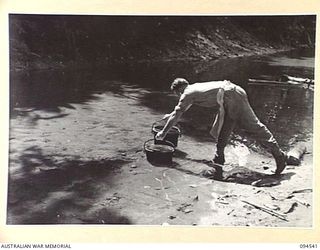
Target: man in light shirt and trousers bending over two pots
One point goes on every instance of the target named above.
(234, 108)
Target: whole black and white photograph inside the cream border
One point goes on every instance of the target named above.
(189, 120)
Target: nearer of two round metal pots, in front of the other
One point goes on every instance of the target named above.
(159, 153)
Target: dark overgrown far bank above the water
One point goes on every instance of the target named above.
(53, 41)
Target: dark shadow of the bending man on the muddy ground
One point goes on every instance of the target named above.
(237, 174)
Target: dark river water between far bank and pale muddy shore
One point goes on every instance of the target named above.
(287, 112)
